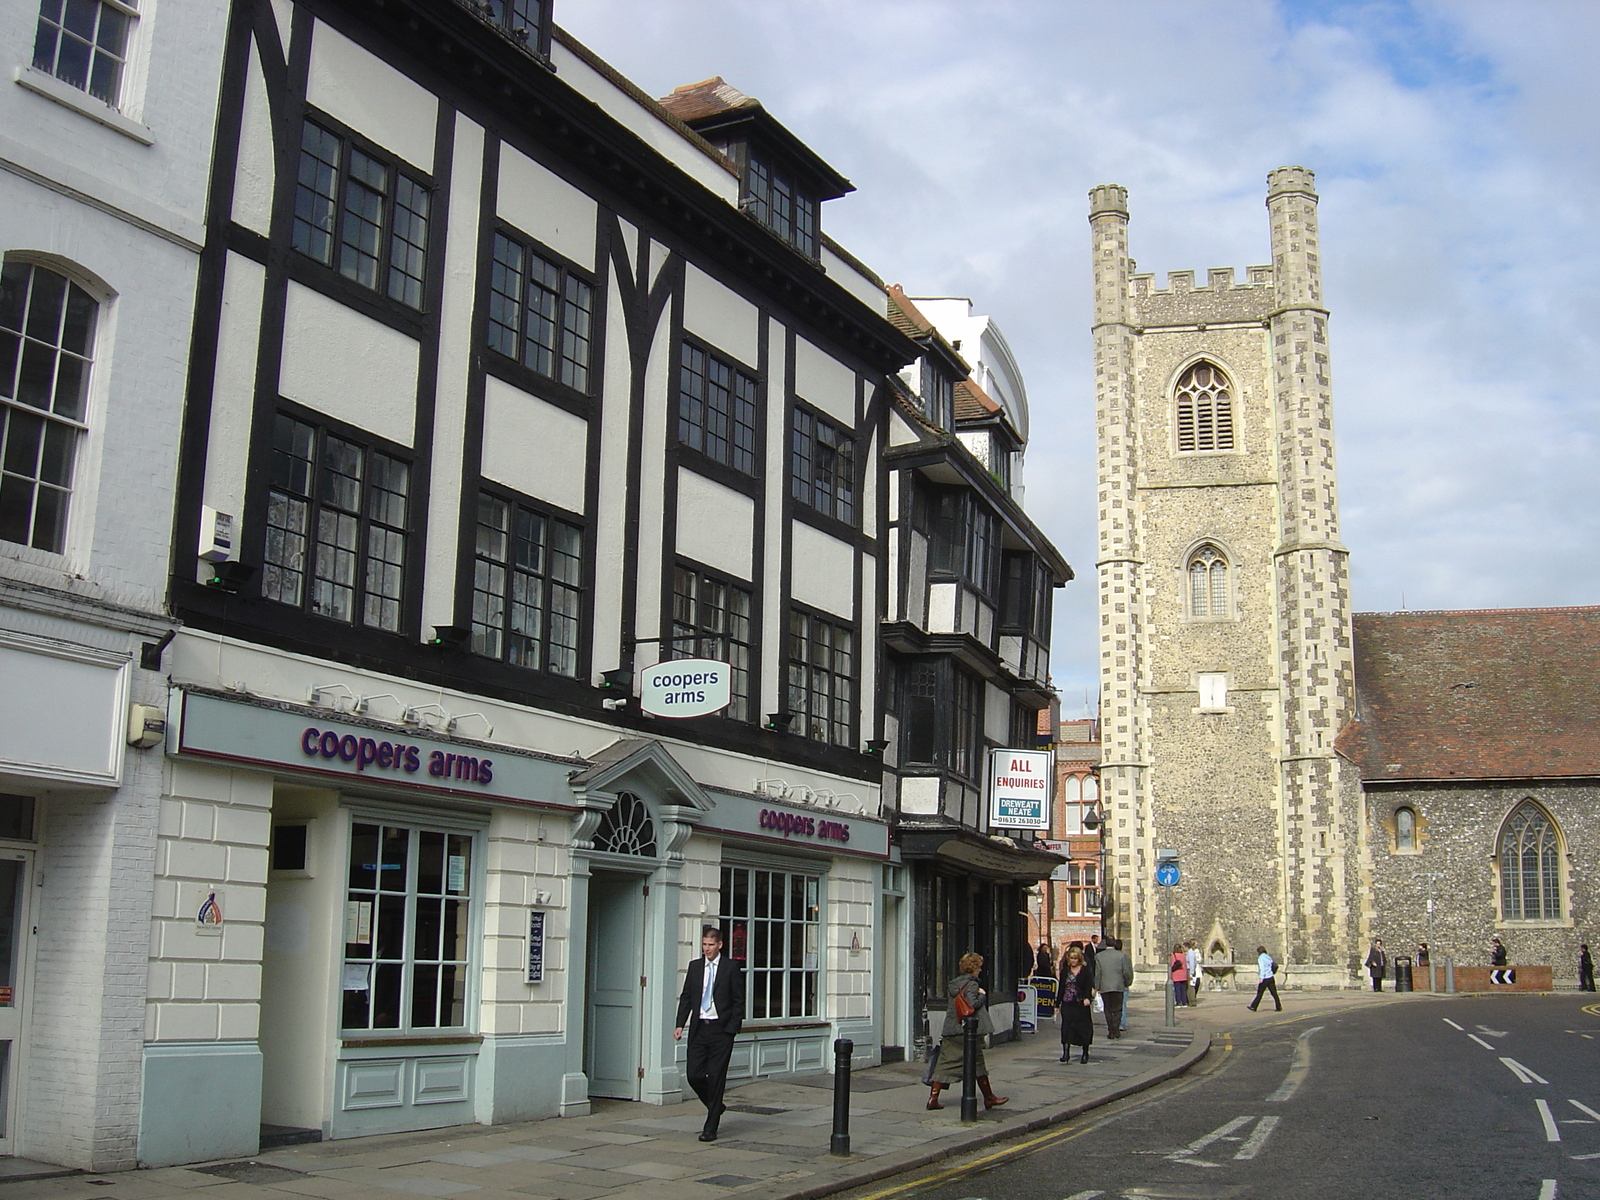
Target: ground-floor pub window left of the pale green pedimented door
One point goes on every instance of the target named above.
(407, 929)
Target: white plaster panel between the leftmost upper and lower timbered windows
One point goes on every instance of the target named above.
(350, 367)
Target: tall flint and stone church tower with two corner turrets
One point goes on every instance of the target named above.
(1226, 668)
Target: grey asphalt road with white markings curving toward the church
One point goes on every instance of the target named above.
(1495, 1098)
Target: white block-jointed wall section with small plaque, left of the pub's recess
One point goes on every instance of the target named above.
(214, 833)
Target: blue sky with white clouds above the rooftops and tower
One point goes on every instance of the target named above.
(1457, 150)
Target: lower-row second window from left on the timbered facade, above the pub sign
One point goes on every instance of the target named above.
(527, 572)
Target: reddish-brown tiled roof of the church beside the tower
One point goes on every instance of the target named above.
(1506, 694)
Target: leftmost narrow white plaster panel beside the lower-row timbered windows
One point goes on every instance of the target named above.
(234, 390)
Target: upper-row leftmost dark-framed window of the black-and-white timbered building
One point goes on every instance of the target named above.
(361, 215)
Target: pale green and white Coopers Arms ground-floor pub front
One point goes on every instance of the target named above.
(366, 930)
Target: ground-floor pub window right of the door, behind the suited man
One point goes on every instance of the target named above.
(772, 922)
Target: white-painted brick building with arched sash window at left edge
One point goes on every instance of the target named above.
(105, 156)
